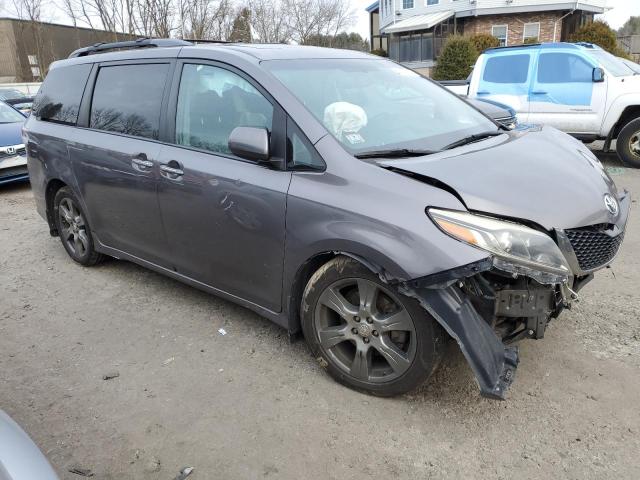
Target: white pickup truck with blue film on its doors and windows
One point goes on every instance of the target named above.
(576, 87)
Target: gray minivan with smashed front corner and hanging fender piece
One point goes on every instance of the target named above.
(336, 193)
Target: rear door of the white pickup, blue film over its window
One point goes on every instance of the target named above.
(505, 76)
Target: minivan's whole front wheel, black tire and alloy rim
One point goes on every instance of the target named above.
(365, 333)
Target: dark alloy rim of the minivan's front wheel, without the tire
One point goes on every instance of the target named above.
(365, 330)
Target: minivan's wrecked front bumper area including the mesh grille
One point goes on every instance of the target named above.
(490, 304)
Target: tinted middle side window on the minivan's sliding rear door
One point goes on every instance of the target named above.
(128, 98)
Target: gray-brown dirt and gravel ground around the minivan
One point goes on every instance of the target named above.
(249, 405)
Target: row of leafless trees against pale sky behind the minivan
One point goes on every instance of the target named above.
(271, 21)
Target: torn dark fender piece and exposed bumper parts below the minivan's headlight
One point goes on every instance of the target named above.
(485, 310)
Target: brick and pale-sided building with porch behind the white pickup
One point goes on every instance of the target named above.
(413, 31)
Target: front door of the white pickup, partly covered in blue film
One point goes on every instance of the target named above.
(564, 95)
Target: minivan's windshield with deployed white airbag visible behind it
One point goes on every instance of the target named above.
(376, 104)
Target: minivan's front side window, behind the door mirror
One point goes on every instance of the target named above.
(212, 101)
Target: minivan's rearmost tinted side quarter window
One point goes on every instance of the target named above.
(61, 93)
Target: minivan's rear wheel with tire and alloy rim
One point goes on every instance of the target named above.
(73, 228)
